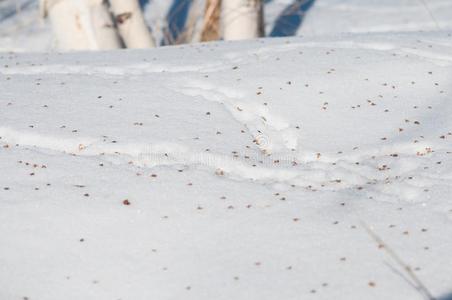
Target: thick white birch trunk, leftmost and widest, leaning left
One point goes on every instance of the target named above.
(81, 24)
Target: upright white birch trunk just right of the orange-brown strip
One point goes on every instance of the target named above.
(242, 19)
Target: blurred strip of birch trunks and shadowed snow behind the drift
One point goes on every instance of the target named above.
(33, 25)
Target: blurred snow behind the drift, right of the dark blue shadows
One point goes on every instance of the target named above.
(358, 16)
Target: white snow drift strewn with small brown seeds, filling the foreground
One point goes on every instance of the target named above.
(230, 170)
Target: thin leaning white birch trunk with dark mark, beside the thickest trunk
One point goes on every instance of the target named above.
(131, 24)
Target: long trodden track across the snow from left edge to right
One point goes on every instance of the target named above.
(359, 171)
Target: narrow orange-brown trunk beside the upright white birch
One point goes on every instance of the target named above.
(211, 24)
